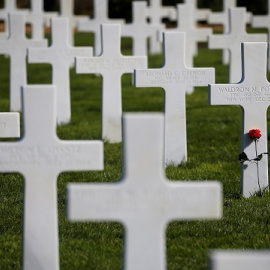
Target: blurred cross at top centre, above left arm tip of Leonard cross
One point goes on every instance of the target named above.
(140, 30)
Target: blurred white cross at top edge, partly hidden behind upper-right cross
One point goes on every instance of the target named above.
(223, 18)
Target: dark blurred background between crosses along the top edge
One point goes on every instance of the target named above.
(122, 8)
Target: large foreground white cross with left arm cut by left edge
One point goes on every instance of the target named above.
(40, 157)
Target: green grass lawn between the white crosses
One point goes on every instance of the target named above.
(213, 148)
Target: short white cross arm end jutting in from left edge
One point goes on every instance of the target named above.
(9, 125)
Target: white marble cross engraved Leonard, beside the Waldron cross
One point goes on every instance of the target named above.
(175, 78)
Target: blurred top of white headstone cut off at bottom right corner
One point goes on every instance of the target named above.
(236, 260)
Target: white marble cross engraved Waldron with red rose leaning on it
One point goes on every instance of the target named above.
(252, 93)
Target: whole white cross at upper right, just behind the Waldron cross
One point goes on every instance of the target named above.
(232, 41)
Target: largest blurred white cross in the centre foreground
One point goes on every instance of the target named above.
(144, 200)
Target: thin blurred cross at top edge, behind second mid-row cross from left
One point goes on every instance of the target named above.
(67, 10)
